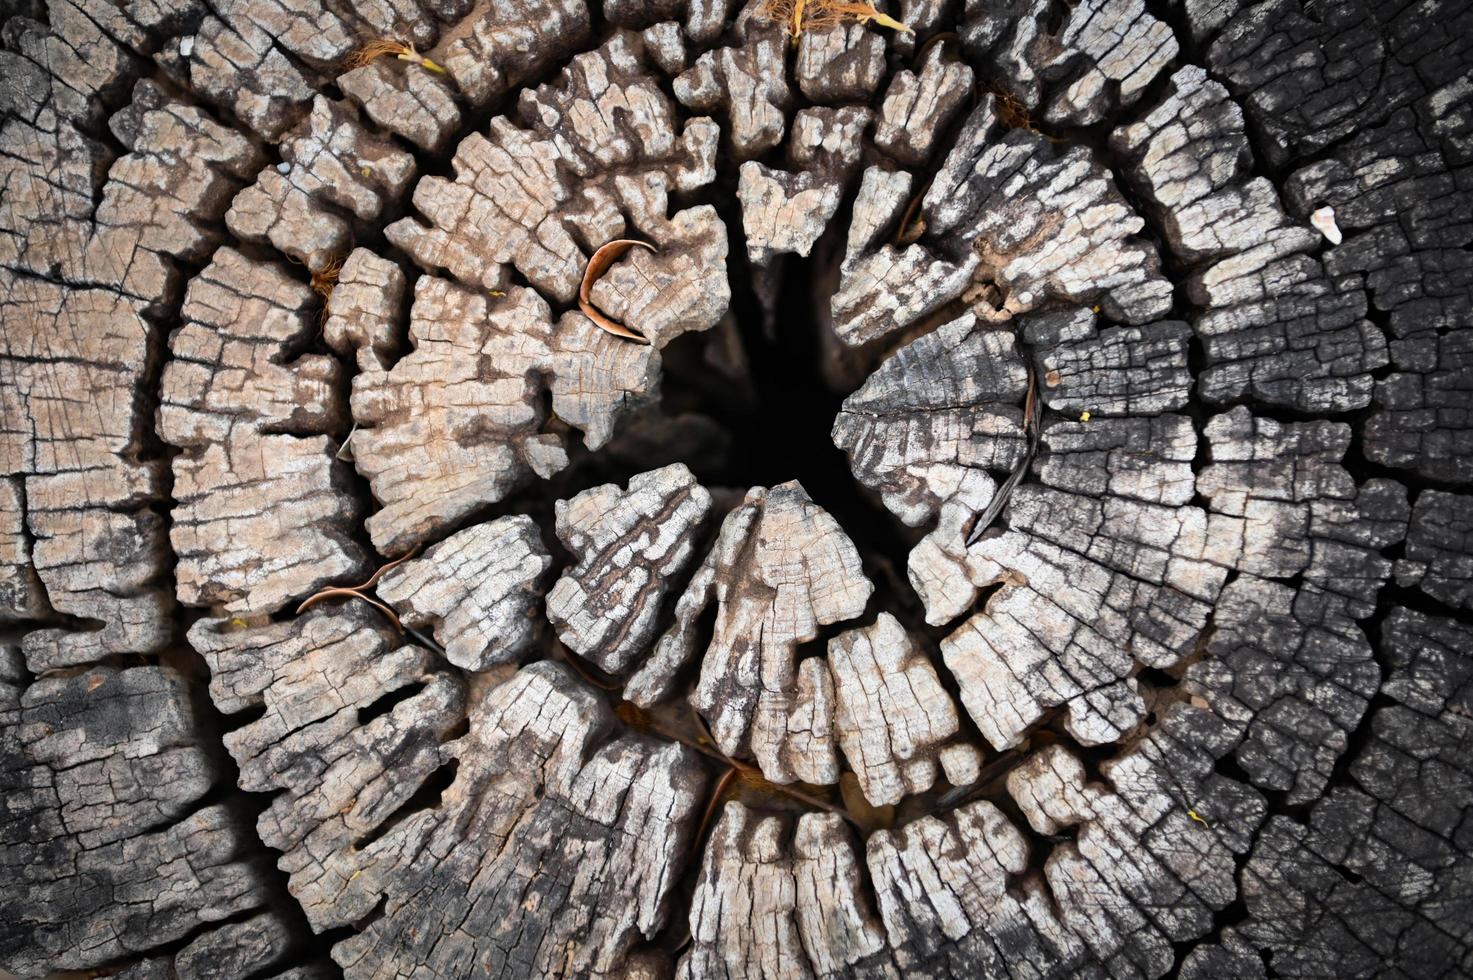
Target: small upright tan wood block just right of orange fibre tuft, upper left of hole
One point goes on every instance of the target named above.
(365, 310)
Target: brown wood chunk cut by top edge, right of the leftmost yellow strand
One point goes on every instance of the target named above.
(506, 43)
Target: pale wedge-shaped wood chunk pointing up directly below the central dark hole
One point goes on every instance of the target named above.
(780, 571)
